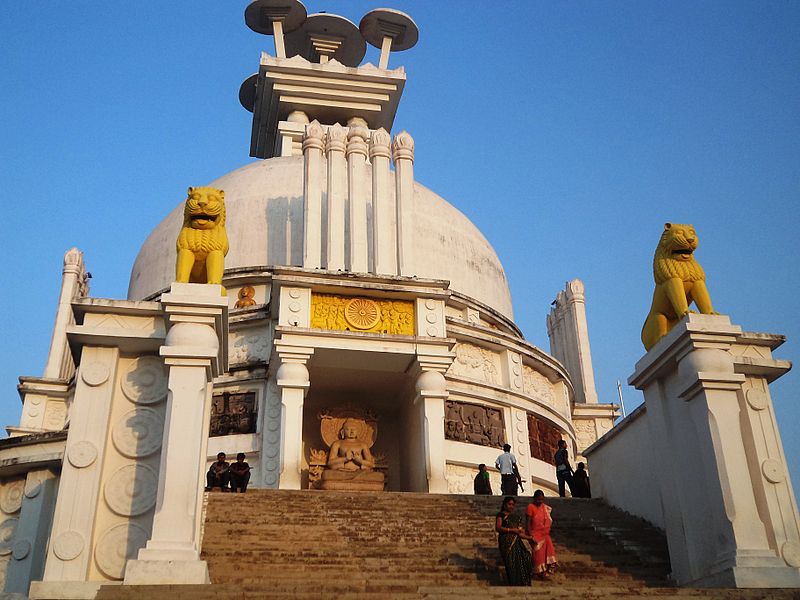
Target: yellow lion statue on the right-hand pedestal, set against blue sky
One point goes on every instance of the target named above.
(679, 281)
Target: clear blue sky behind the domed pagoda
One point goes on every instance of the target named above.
(569, 132)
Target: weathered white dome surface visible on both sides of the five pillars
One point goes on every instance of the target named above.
(264, 222)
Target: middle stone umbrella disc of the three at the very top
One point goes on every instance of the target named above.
(350, 52)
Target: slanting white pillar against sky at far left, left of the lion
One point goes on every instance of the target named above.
(73, 284)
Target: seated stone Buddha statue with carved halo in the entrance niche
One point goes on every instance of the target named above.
(348, 464)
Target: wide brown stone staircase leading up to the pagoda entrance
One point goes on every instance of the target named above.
(311, 544)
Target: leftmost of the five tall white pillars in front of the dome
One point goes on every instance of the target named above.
(312, 195)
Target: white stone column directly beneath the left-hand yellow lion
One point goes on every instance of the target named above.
(195, 352)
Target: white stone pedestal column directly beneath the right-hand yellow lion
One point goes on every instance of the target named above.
(713, 488)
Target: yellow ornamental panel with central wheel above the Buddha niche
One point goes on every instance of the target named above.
(347, 313)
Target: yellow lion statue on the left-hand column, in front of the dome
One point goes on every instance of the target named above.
(202, 243)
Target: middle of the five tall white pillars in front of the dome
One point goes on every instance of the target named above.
(357, 193)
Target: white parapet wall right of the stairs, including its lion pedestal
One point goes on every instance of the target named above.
(707, 454)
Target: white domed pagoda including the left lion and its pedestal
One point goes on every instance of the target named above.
(360, 336)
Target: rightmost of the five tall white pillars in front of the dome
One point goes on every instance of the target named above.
(403, 152)
